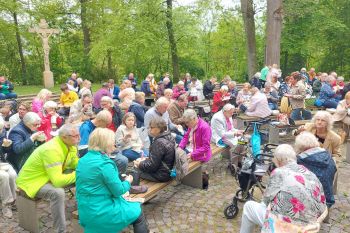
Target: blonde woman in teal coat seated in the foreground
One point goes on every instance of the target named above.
(99, 190)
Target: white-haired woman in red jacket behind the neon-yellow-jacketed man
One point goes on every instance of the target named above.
(50, 120)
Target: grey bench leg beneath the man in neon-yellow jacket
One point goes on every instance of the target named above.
(27, 214)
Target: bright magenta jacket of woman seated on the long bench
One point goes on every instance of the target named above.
(201, 142)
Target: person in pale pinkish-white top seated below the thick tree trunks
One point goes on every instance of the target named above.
(258, 106)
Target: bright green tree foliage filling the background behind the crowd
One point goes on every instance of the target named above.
(103, 39)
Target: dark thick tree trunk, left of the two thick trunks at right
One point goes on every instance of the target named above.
(249, 26)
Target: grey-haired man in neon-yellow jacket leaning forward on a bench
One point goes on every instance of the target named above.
(45, 173)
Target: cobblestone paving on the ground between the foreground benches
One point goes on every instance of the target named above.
(184, 209)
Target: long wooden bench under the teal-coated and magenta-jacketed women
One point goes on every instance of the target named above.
(193, 179)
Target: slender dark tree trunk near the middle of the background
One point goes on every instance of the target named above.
(172, 42)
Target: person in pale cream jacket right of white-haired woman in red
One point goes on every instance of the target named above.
(81, 110)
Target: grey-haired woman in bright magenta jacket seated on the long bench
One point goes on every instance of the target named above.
(197, 138)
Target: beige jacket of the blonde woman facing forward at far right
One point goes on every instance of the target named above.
(331, 143)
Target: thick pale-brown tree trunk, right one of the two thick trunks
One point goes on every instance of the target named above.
(273, 32)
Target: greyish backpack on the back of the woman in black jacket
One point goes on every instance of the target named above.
(180, 168)
